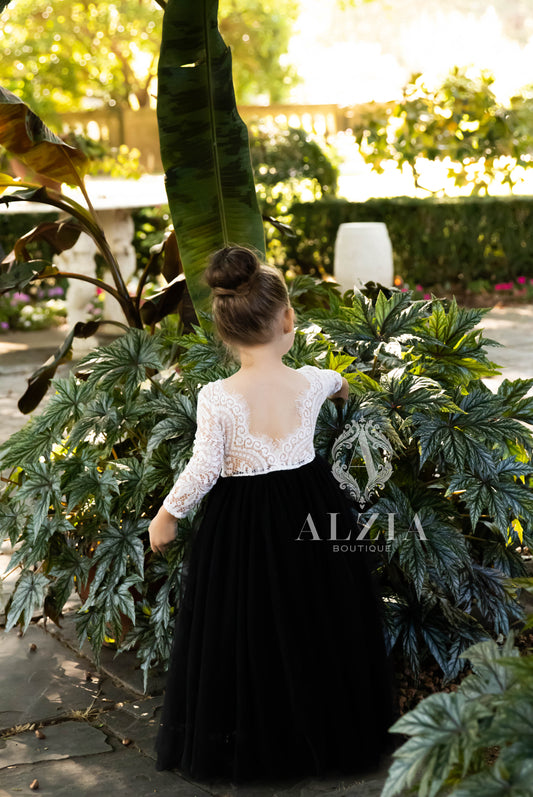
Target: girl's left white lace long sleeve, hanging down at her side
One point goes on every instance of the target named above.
(204, 467)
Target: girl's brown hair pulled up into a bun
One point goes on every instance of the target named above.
(247, 295)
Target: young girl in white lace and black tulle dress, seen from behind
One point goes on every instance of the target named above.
(278, 667)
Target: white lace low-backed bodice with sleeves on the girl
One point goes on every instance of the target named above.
(224, 445)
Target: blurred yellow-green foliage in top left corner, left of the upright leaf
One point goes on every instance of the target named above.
(81, 54)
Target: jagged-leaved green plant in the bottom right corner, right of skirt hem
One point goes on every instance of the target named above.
(452, 737)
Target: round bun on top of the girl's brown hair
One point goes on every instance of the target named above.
(231, 271)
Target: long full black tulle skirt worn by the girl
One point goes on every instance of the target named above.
(278, 666)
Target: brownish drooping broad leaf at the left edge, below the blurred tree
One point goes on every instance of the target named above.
(24, 135)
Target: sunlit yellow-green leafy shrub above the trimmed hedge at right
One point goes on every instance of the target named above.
(461, 121)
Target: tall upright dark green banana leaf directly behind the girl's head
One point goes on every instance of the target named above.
(204, 142)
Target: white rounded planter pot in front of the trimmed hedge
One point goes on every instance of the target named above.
(363, 252)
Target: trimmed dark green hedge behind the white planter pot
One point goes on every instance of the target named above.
(434, 241)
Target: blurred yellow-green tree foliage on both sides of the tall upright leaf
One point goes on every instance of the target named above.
(88, 53)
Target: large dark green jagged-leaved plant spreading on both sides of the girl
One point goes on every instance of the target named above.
(90, 471)
